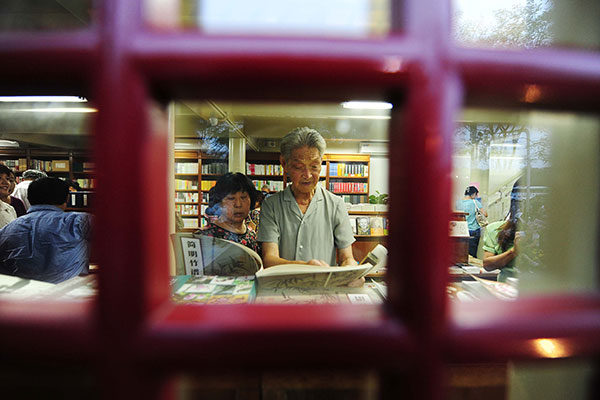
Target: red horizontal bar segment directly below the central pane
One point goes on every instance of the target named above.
(308, 335)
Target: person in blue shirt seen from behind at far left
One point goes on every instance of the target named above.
(47, 243)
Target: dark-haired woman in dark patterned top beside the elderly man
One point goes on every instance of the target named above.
(231, 199)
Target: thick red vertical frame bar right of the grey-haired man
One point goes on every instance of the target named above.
(420, 193)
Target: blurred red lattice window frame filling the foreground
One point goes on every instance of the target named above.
(135, 337)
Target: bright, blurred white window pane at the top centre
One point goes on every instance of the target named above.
(338, 18)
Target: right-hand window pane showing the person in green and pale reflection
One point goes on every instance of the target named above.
(531, 172)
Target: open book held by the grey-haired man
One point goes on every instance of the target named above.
(298, 275)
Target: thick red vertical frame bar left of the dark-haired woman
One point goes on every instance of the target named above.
(128, 160)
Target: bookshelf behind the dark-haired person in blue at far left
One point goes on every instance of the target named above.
(66, 164)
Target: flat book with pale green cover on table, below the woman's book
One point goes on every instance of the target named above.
(214, 289)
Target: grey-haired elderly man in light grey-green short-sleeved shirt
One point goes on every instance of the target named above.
(304, 224)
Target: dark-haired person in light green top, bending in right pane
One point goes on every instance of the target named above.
(501, 240)
